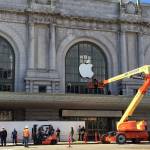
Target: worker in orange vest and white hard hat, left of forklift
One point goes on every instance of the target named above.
(26, 135)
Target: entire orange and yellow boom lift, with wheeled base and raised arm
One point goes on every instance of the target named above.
(133, 130)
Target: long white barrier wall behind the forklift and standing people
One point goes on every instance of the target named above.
(64, 126)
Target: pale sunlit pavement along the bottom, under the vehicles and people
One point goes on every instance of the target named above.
(80, 146)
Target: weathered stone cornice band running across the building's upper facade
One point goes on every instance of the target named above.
(130, 22)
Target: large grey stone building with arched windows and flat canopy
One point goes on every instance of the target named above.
(42, 44)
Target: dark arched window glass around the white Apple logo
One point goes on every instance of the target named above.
(78, 54)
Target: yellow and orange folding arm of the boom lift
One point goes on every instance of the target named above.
(138, 97)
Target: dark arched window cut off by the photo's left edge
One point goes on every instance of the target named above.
(7, 66)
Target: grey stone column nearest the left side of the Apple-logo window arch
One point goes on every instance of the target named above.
(52, 48)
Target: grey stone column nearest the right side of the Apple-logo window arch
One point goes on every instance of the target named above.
(123, 52)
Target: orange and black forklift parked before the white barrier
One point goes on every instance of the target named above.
(44, 135)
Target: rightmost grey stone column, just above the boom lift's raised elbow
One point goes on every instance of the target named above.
(140, 49)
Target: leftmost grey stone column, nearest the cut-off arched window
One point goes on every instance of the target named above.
(31, 47)
